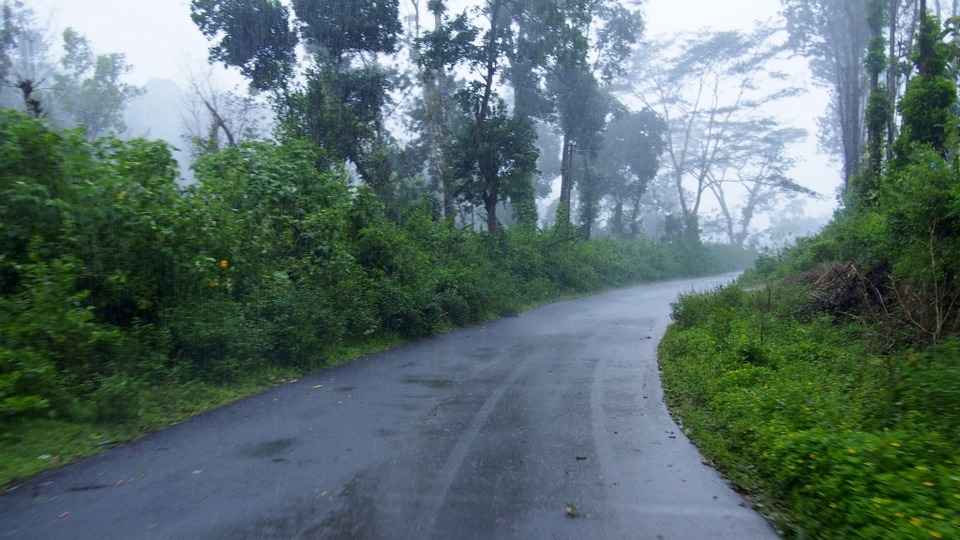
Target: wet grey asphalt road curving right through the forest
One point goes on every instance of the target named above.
(488, 432)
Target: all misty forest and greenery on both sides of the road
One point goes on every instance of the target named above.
(391, 170)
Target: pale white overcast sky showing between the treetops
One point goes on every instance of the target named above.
(162, 42)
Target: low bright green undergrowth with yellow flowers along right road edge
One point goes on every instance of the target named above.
(838, 440)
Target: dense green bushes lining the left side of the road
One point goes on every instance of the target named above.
(114, 280)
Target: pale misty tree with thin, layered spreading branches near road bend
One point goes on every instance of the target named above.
(714, 83)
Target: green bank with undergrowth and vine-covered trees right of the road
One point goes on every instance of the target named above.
(827, 381)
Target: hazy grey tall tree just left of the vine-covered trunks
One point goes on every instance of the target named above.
(835, 35)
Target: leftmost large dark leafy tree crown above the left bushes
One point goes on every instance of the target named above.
(339, 101)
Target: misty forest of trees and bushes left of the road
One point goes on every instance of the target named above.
(133, 295)
